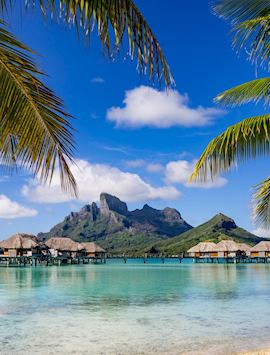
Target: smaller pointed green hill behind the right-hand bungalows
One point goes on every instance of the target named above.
(217, 228)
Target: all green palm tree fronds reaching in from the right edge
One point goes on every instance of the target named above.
(249, 138)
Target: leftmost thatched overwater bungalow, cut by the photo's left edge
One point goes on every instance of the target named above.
(20, 244)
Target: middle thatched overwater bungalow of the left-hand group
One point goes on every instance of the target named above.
(60, 246)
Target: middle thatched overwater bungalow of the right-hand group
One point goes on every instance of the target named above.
(231, 249)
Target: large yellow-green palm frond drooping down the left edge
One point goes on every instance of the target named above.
(35, 131)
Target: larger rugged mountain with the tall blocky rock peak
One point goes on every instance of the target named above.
(117, 229)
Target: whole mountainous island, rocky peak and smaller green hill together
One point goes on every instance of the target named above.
(143, 231)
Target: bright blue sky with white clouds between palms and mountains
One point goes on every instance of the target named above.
(124, 149)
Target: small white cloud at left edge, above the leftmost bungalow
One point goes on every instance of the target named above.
(11, 209)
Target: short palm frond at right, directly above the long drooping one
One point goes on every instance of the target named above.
(251, 91)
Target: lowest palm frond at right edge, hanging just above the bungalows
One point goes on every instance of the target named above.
(262, 203)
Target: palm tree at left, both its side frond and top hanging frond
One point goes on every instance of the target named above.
(35, 130)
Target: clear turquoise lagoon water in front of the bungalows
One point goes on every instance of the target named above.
(135, 308)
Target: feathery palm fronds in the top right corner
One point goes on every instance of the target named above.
(251, 26)
